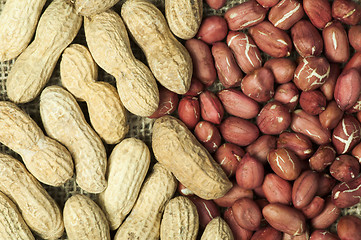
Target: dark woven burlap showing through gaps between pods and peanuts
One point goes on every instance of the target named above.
(140, 128)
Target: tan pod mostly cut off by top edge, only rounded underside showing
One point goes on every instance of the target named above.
(92, 7)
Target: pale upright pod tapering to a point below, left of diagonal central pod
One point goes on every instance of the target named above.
(128, 165)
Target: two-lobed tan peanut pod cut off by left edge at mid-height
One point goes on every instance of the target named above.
(48, 161)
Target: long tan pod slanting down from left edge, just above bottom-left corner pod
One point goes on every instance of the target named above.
(38, 209)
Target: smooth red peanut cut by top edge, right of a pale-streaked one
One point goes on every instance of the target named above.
(319, 12)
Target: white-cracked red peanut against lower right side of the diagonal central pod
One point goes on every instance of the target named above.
(228, 155)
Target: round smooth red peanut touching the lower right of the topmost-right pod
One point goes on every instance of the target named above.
(212, 29)
